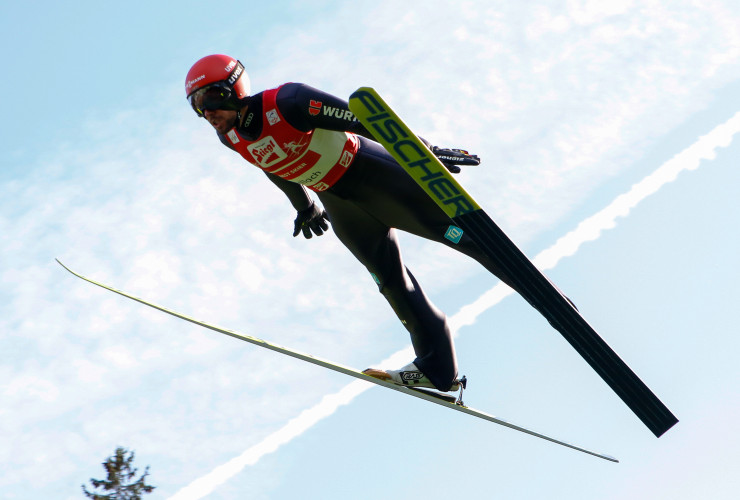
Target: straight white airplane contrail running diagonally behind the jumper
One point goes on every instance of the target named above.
(589, 229)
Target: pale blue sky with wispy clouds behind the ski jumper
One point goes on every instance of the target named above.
(571, 105)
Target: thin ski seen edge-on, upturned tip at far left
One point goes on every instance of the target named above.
(417, 393)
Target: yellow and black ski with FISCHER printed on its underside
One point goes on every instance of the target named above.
(468, 217)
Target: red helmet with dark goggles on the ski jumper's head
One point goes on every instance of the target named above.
(216, 82)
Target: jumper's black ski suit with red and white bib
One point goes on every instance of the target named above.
(304, 138)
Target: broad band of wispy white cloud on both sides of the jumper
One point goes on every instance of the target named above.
(149, 201)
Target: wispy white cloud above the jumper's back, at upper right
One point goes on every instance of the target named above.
(576, 92)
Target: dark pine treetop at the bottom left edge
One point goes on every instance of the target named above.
(119, 484)
